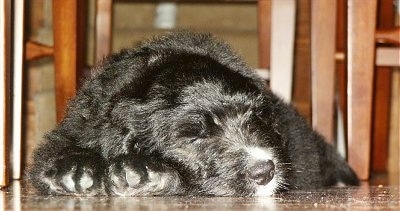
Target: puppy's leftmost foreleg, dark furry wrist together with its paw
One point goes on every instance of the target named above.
(62, 168)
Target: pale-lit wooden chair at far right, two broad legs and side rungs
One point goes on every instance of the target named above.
(362, 36)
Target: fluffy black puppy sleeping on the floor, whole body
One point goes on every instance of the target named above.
(182, 115)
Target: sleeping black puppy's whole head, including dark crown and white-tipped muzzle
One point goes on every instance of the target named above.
(217, 129)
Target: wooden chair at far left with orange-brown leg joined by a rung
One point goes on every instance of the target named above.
(68, 51)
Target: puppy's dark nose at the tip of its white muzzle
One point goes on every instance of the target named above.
(262, 172)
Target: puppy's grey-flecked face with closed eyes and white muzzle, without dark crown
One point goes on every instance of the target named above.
(227, 142)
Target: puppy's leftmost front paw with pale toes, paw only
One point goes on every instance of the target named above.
(74, 175)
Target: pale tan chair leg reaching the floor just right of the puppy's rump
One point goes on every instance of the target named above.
(361, 30)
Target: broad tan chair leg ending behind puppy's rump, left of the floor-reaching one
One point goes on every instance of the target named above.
(323, 24)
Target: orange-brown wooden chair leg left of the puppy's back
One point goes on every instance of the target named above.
(69, 49)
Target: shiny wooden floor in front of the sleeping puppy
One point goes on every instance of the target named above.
(365, 197)
